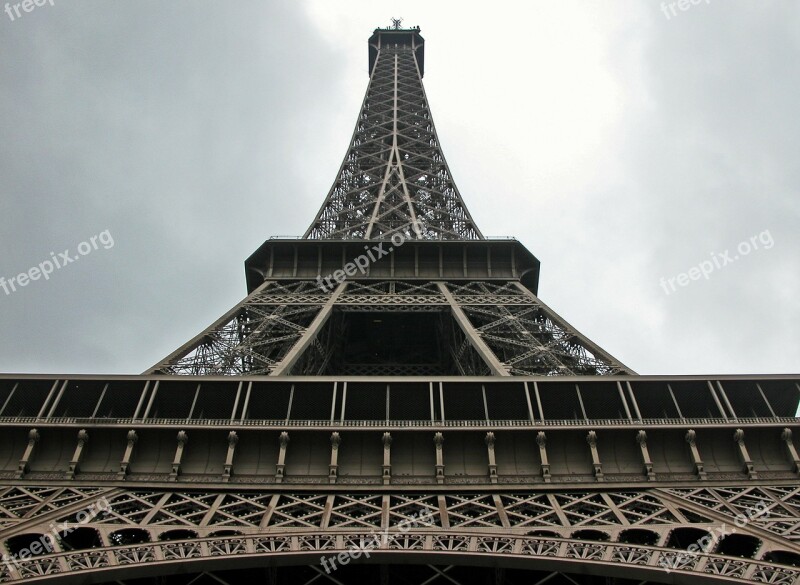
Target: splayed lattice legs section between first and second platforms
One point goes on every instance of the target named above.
(525, 335)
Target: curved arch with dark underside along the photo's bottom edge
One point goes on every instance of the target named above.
(419, 557)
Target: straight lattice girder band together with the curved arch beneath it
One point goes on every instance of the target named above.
(676, 535)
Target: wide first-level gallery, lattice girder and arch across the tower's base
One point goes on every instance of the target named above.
(399, 479)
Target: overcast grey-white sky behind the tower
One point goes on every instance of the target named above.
(621, 144)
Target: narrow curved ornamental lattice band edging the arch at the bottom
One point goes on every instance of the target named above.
(596, 558)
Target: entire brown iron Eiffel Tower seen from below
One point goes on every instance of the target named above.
(392, 403)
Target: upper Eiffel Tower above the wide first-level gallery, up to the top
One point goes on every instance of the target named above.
(393, 187)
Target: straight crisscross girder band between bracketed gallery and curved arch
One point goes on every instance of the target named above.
(279, 512)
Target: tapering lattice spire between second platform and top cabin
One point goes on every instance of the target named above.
(394, 178)
